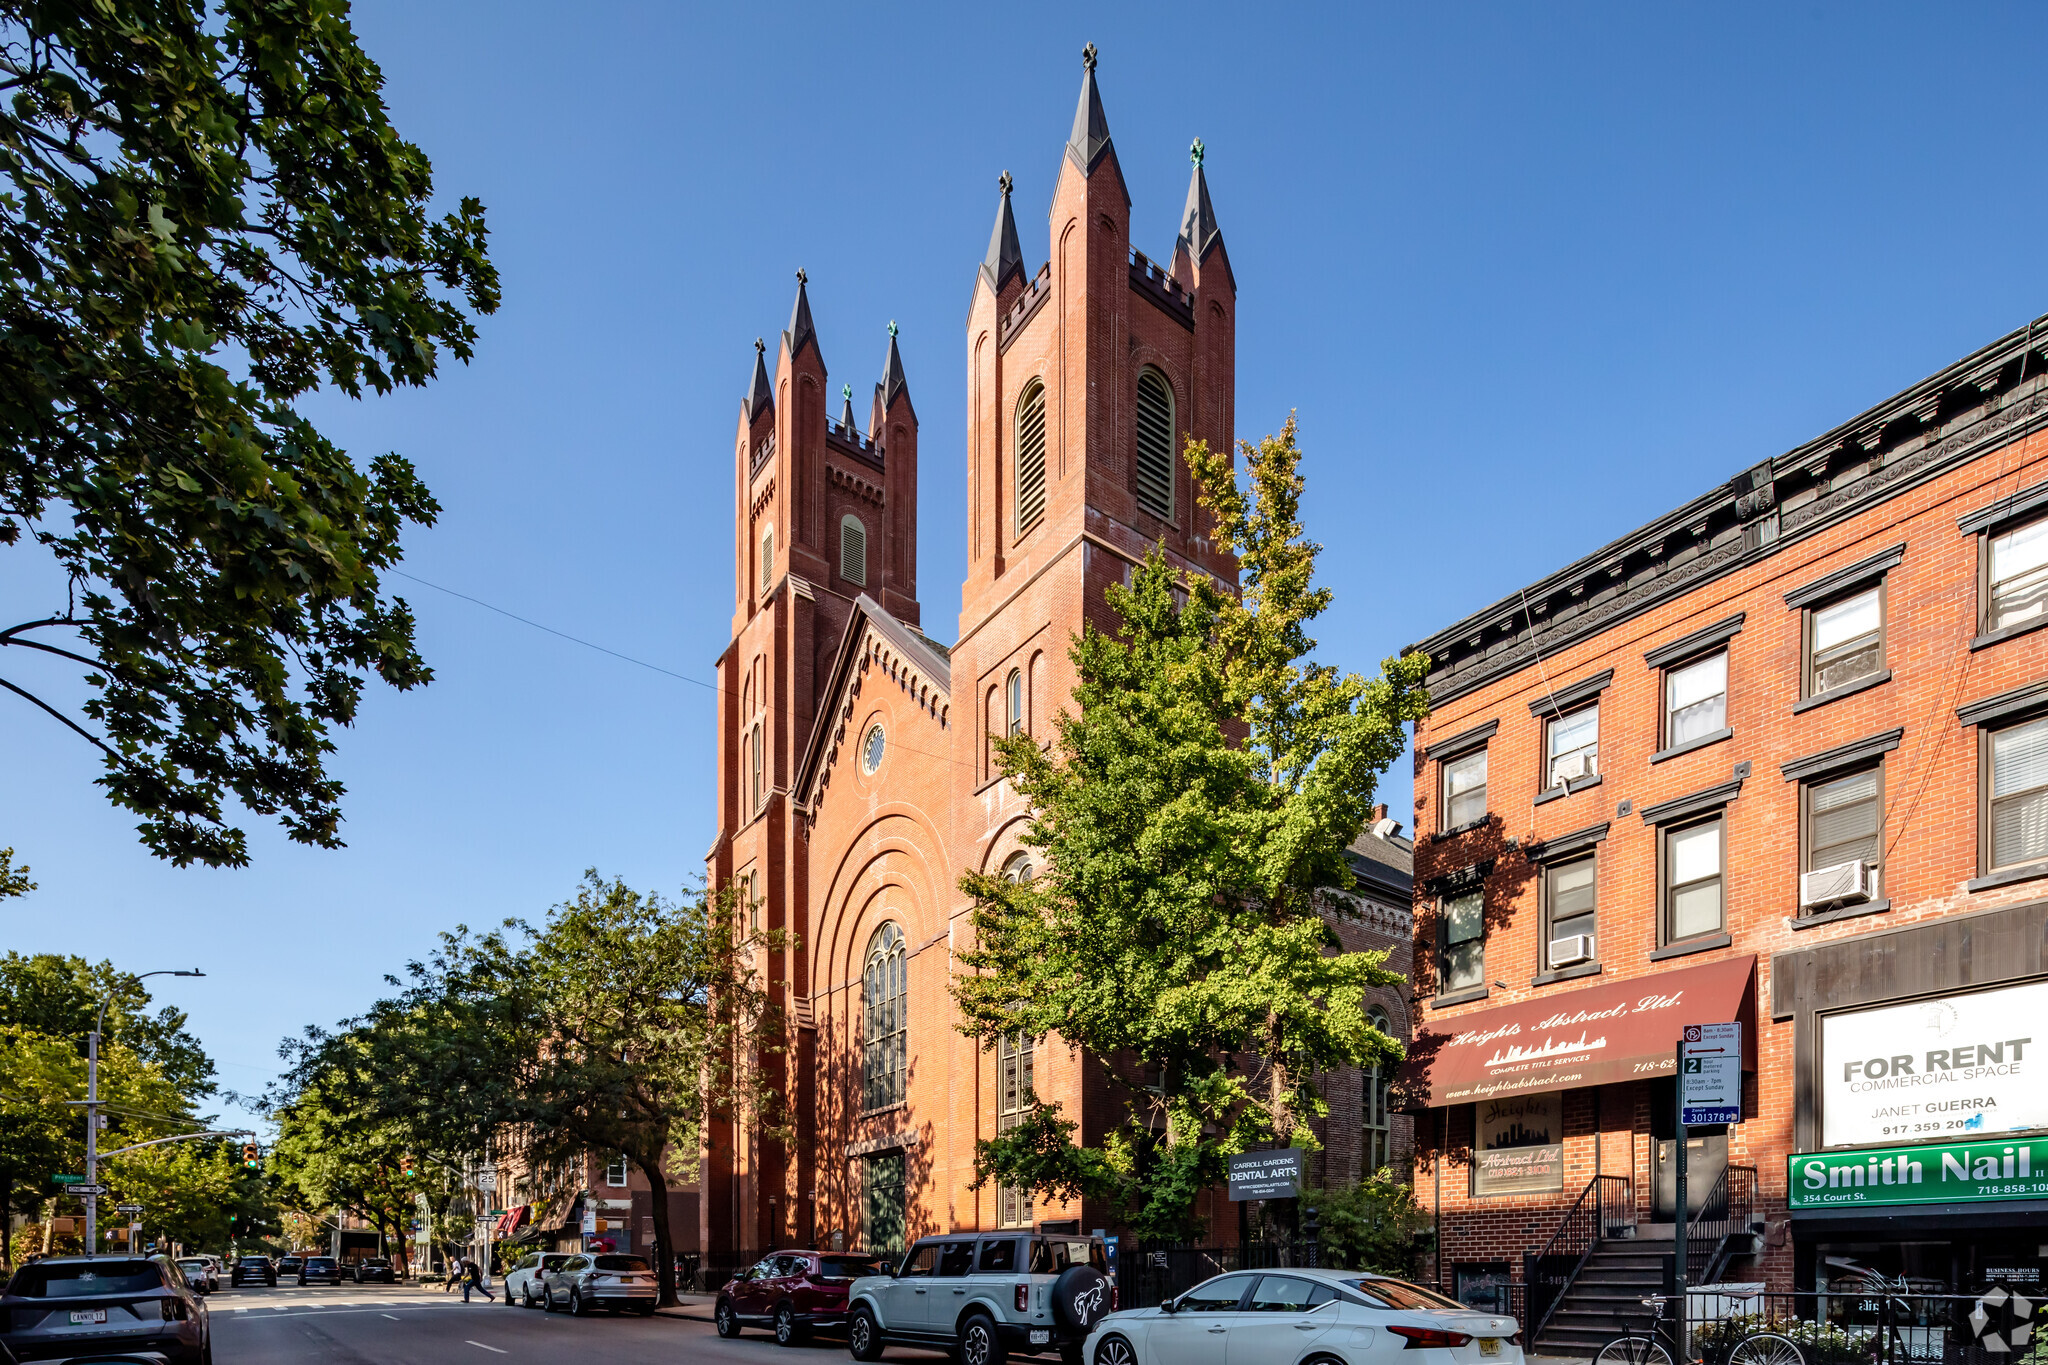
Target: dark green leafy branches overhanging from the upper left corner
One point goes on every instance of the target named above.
(206, 216)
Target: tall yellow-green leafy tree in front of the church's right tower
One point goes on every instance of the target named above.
(1191, 816)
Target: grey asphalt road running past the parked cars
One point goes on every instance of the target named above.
(400, 1325)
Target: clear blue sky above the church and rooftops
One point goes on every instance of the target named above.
(1531, 275)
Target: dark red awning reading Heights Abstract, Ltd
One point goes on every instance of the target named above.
(1621, 1030)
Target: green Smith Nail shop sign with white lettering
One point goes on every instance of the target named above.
(1934, 1174)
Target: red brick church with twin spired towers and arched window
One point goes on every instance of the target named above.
(855, 775)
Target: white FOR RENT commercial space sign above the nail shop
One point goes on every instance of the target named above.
(1955, 1067)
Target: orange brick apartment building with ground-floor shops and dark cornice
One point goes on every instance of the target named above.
(1777, 758)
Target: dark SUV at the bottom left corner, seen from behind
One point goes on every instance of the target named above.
(103, 1309)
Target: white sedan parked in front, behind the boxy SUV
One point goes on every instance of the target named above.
(1306, 1319)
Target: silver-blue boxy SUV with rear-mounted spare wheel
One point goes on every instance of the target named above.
(986, 1296)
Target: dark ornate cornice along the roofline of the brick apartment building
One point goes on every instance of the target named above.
(1977, 404)
